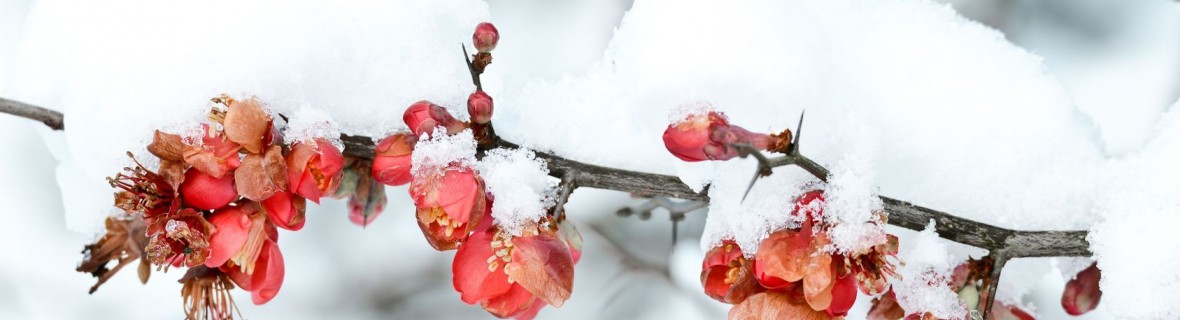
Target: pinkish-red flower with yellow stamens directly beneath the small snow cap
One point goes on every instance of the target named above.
(448, 205)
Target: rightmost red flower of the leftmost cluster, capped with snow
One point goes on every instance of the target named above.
(314, 169)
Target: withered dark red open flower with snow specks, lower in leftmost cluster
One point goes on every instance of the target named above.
(182, 239)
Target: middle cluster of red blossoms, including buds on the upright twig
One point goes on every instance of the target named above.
(510, 275)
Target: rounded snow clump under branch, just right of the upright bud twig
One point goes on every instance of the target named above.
(521, 186)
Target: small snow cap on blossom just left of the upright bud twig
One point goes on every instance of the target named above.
(435, 153)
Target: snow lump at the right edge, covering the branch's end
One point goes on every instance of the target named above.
(1135, 244)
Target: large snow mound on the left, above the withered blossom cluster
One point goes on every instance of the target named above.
(141, 66)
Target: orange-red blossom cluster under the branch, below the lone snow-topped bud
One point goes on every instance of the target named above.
(797, 270)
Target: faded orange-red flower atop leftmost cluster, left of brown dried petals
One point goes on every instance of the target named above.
(217, 155)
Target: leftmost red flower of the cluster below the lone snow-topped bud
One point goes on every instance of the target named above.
(727, 276)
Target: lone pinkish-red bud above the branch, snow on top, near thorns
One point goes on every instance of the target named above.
(710, 136)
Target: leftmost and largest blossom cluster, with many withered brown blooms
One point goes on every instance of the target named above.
(215, 205)
